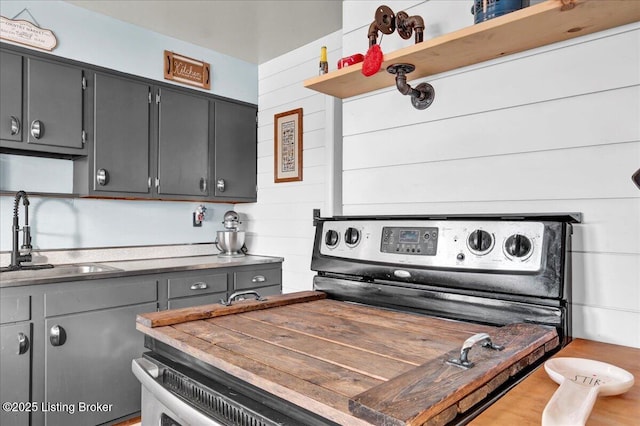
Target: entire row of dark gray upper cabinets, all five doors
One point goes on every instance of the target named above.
(128, 137)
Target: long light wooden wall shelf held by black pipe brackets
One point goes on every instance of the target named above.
(525, 29)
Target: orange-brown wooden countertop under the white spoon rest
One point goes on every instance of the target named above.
(524, 404)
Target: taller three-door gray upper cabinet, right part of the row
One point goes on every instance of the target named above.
(155, 141)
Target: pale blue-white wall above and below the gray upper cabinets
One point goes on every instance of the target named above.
(65, 223)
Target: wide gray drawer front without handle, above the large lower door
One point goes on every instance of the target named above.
(99, 295)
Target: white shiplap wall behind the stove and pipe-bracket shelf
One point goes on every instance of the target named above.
(548, 130)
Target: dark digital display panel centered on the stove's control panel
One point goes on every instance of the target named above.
(421, 241)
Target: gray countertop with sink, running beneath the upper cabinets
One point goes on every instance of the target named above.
(114, 269)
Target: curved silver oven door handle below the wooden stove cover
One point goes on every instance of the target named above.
(147, 372)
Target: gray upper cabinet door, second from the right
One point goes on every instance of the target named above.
(183, 144)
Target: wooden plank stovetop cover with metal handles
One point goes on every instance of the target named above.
(352, 364)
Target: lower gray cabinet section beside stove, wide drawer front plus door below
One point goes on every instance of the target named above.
(91, 339)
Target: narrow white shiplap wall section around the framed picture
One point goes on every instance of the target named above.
(280, 223)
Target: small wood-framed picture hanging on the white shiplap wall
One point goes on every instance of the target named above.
(287, 146)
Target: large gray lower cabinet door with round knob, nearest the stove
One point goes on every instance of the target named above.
(92, 363)
